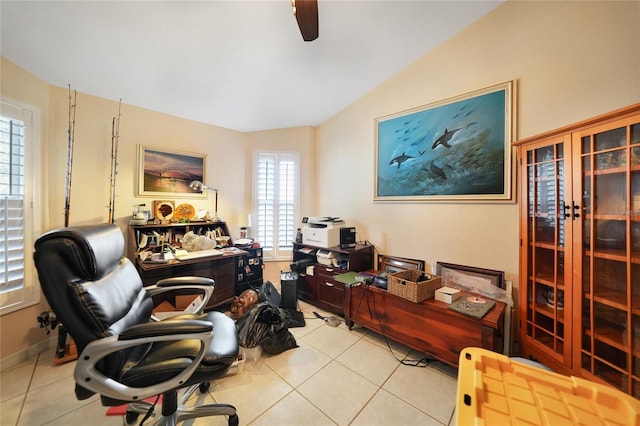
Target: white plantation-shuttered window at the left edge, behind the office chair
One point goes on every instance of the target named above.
(17, 285)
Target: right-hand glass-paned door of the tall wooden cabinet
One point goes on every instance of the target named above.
(609, 299)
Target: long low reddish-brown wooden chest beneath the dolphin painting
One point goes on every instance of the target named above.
(428, 327)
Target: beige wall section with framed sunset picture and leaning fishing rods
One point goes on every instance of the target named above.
(92, 158)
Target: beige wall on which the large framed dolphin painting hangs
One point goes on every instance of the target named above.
(571, 61)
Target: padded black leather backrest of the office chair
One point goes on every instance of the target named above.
(94, 291)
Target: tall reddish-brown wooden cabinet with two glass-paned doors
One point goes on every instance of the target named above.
(579, 310)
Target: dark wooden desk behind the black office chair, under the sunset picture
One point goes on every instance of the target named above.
(222, 269)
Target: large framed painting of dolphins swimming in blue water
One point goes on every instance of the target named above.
(458, 149)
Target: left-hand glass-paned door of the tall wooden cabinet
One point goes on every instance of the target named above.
(545, 311)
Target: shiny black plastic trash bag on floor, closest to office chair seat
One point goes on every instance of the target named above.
(265, 325)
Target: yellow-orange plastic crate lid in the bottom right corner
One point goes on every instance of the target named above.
(496, 390)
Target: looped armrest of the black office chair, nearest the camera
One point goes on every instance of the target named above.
(88, 376)
